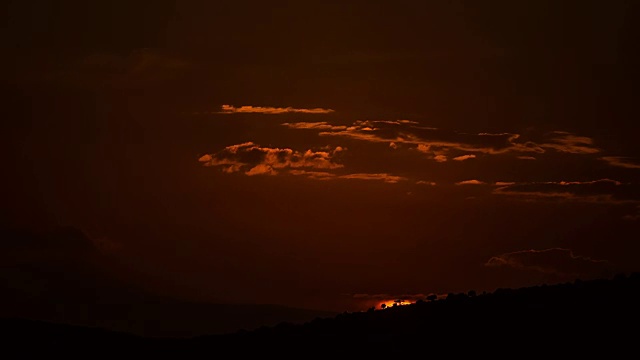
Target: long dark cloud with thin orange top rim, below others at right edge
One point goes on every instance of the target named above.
(596, 191)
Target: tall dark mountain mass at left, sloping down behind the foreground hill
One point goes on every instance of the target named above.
(60, 277)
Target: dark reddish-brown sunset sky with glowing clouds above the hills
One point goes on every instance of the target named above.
(327, 154)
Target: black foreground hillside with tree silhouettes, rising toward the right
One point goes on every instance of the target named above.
(583, 318)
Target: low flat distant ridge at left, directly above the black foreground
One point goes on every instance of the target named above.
(165, 318)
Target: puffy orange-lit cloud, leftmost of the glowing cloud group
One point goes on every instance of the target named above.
(254, 159)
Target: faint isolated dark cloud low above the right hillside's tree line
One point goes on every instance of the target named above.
(557, 261)
